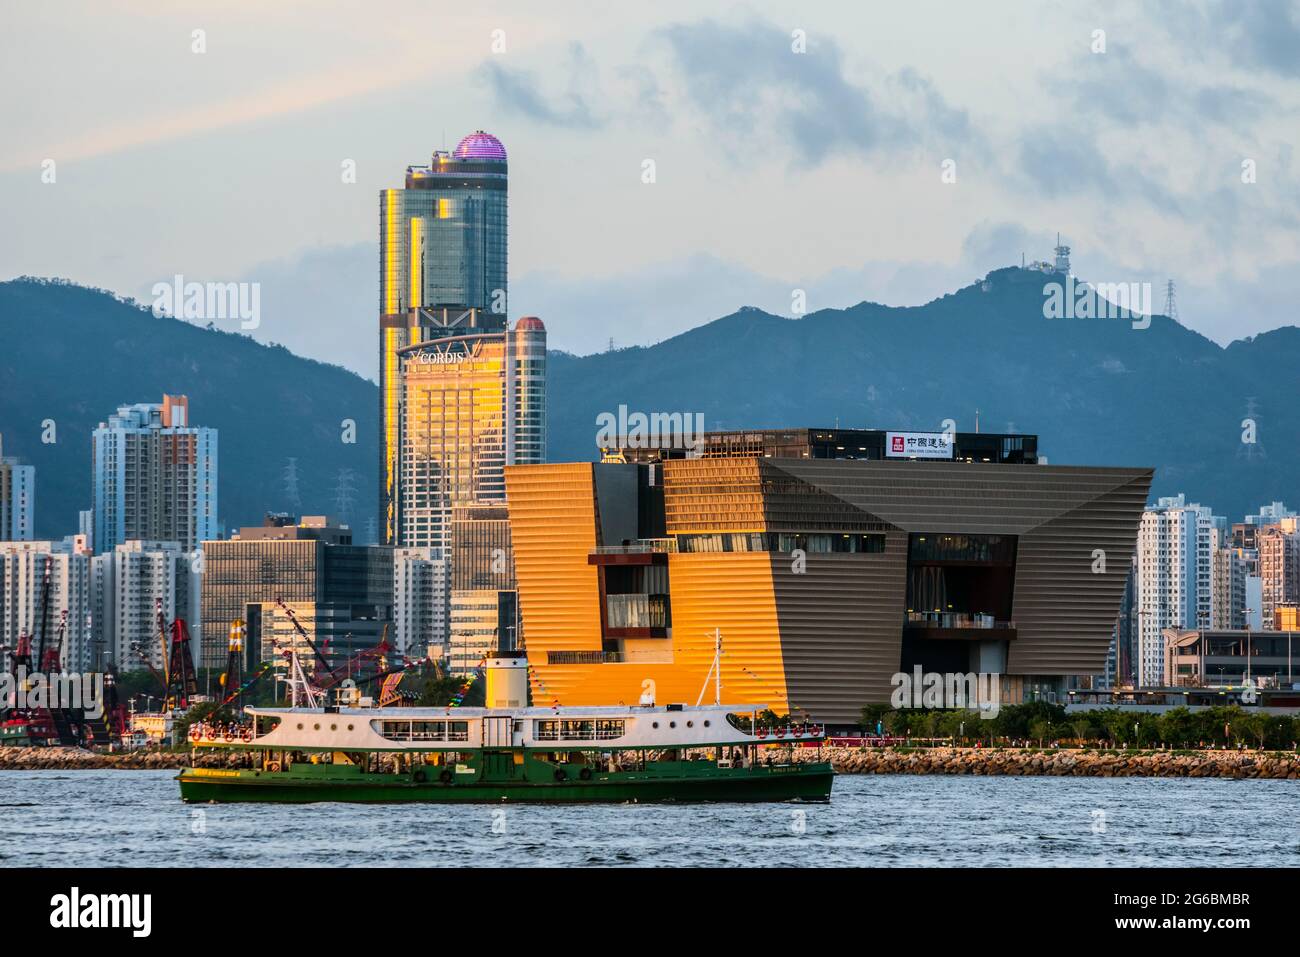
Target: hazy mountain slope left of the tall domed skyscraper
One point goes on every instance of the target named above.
(73, 356)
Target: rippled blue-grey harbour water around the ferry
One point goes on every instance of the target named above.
(136, 819)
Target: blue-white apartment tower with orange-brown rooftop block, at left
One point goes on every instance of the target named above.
(154, 477)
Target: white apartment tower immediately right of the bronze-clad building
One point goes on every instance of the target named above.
(1175, 573)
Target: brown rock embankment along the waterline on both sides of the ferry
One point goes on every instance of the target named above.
(1059, 763)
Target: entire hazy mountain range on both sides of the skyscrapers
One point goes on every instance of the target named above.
(1097, 392)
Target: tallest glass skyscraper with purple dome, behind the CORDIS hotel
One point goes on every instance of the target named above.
(443, 272)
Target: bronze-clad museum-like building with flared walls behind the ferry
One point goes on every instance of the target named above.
(825, 575)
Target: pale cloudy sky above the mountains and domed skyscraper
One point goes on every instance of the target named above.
(853, 151)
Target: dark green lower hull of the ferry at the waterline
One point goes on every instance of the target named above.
(809, 782)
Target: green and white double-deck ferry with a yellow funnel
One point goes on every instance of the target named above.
(644, 754)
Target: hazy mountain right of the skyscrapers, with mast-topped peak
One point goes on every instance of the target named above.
(1097, 391)
